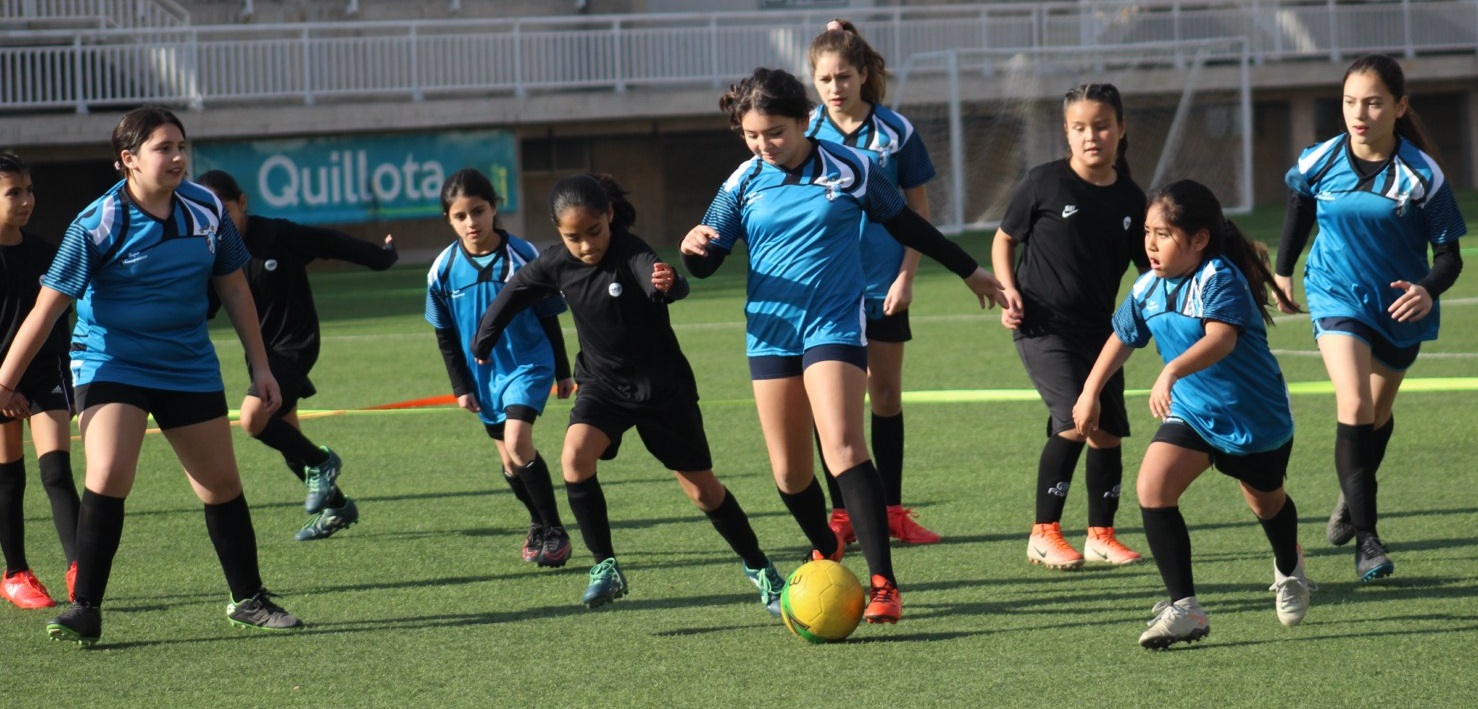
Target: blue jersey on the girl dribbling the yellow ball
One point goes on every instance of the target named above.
(803, 230)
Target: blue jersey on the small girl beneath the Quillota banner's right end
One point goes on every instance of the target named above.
(459, 289)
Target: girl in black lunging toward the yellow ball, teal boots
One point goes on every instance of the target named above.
(630, 370)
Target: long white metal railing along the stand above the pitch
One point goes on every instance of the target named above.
(307, 63)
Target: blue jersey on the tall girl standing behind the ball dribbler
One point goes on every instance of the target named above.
(901, 156)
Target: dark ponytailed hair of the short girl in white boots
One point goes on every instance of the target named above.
(1191, 208)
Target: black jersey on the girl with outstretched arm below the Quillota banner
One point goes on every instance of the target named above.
(277, 274)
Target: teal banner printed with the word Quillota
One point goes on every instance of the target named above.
(357, 179)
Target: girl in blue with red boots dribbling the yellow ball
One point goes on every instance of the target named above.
(799, 205)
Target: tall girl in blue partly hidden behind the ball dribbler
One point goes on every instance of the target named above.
(852, 79)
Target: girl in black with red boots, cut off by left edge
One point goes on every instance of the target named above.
(44, 397)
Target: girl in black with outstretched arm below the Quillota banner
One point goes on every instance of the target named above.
(277, 274)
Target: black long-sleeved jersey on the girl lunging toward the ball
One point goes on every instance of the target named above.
(627, 348)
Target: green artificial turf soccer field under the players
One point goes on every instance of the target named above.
(426, 600)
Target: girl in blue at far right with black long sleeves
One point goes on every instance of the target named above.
(1381, 202)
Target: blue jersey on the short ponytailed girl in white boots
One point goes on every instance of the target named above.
(1241, 404)
